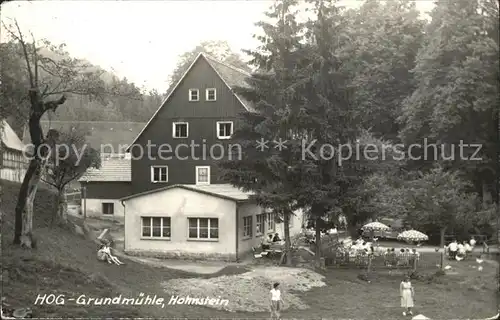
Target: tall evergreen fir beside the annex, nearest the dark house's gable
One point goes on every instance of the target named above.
(269, 173)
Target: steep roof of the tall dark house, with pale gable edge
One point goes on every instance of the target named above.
(233, 77)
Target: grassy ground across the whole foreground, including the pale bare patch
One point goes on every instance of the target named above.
(65, 263)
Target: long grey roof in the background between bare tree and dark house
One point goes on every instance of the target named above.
(98, 133)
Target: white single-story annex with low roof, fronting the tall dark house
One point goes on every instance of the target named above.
(197, 221)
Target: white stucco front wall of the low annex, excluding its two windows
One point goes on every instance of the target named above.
(180, 204)
